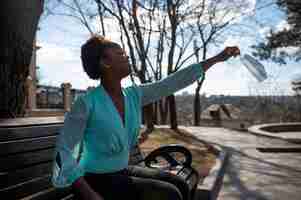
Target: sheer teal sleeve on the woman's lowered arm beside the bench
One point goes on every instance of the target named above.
(66, 168)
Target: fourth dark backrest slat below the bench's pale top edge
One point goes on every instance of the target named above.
(22, 175)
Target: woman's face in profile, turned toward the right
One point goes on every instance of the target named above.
(118, 60)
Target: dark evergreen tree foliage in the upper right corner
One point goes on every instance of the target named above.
(288, 37)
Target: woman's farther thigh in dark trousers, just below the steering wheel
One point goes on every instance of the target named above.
(161, 175)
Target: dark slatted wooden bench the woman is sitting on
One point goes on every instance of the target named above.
(26, 154)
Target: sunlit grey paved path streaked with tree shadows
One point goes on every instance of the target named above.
(251, 174)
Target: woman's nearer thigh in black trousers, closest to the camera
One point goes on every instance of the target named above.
(130, 187)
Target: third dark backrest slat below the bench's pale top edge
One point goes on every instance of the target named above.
(17, 161)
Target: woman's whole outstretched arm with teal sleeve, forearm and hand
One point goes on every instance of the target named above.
(154, 91)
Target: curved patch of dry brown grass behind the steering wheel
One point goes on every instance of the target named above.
(203, 157)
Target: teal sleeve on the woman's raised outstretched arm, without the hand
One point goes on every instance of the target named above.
(152, 92)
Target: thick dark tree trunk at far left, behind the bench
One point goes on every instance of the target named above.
(19, 20)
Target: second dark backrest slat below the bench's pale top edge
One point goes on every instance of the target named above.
(26, 145)
